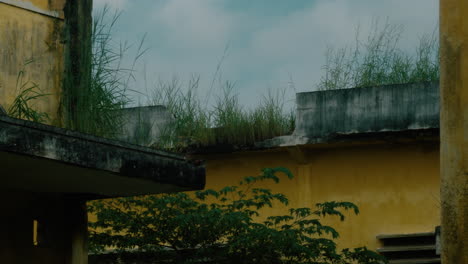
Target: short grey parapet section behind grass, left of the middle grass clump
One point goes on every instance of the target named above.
(144, 125)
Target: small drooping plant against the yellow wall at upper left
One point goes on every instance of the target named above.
(27, 93)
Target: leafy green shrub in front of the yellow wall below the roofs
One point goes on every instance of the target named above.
(223, 227)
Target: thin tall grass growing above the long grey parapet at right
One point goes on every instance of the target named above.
(378, 60)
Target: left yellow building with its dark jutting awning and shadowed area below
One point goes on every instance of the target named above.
(48, 173)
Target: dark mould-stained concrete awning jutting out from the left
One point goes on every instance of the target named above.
(45, 159)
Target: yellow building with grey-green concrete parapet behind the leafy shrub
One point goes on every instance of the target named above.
(377, 147)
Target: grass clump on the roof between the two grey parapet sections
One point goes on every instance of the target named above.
(228, 122)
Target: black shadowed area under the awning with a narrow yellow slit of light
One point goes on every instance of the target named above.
(19, 211)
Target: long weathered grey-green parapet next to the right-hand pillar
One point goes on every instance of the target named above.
(323, 114)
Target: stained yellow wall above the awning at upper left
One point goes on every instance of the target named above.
(26, 35)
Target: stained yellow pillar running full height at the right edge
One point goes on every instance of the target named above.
(454, 130)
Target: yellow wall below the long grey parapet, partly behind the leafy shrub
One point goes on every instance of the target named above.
(396, 187)
